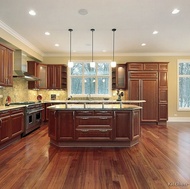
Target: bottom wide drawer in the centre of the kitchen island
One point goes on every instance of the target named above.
(94, 134)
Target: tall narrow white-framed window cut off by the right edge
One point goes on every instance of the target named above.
(184, 85)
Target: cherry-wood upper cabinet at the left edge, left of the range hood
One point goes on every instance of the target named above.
(6, 66)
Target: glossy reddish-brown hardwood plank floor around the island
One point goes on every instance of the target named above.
(161, 160)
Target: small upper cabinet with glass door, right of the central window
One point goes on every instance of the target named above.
(119, 77)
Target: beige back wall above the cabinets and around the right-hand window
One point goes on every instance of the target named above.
(172, 74)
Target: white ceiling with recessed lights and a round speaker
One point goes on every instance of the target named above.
(135, 20)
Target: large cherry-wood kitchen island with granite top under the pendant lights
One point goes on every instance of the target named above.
(94, 124)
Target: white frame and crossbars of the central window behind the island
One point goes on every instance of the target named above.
(96, 76)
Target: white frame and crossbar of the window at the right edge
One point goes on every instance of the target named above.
(186, 109)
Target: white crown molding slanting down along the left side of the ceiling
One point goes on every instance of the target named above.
(19, 37)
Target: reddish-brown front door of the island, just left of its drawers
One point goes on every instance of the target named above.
(65, 125)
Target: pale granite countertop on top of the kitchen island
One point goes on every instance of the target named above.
(94, 106)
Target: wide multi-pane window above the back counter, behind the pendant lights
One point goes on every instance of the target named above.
(86, 80)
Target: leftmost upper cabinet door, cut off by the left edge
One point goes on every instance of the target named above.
(2, 65)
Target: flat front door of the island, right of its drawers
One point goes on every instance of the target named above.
(122, 125)
